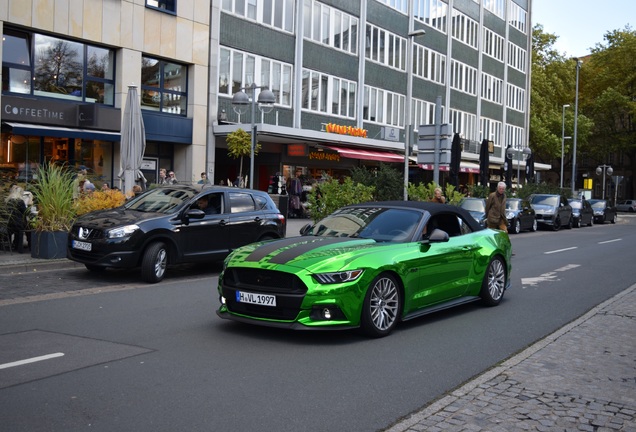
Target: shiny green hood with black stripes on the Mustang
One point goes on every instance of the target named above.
(303, 252)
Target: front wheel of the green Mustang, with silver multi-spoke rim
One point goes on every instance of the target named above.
(382, 306)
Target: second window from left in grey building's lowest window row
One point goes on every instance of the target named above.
(328, 94)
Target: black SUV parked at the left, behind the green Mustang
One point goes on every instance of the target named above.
(174, 224)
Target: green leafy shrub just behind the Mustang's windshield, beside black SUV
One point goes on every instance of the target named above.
(330, 195)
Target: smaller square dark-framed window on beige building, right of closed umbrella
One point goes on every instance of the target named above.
(164, 86)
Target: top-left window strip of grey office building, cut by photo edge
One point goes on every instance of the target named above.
(278, 14)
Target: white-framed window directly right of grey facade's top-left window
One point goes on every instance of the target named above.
(330, 26)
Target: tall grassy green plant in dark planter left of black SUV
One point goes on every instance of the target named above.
(53, 195)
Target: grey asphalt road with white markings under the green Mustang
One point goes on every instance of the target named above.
(131, 356)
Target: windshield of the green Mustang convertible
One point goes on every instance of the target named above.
(379, 224)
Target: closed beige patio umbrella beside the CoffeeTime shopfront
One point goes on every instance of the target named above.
(133, 141)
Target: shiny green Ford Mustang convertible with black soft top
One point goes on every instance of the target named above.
(369, 266)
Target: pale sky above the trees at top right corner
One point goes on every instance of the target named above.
(581, 24)
